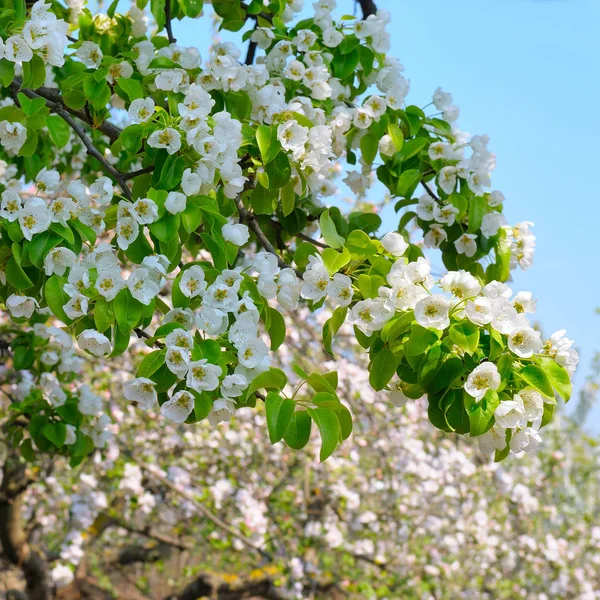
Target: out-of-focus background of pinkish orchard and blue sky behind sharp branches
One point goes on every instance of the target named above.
(402, 510)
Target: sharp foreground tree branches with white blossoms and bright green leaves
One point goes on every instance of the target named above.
(151, 195)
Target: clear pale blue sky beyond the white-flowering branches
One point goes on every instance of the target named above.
(526, 73)
